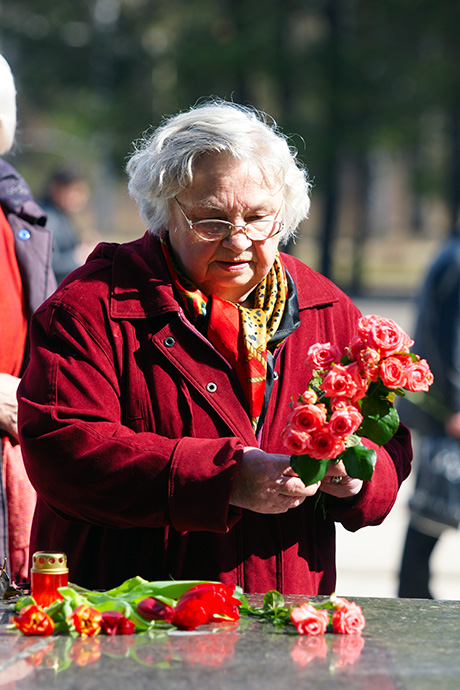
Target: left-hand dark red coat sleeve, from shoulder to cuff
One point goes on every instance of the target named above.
(86, 462)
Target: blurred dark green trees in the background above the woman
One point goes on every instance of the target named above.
(369, 90)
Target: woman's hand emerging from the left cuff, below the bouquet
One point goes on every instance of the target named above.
(266, 483)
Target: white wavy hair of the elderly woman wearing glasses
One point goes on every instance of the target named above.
(163, 163)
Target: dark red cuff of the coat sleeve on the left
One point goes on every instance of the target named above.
(201, 482)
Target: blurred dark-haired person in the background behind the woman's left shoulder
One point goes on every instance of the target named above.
(66, 195)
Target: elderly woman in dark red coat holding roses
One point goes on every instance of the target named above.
(162, 370)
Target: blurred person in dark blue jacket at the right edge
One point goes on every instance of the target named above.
(435, 503)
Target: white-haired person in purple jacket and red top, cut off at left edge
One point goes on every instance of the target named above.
(26, 279)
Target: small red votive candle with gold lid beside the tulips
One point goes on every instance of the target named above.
(49, 571)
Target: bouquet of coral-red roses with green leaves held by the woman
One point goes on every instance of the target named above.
(350, 395)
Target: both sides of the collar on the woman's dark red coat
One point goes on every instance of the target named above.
(141, 286)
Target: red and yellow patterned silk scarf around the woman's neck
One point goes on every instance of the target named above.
(240, 334)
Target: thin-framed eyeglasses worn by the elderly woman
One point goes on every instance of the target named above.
(218, 230)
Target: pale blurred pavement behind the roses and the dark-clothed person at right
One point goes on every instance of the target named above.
(368, 560)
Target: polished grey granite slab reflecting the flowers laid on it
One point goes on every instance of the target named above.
(406, 644)
